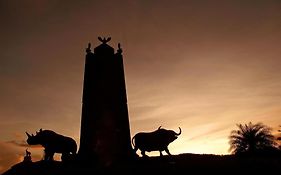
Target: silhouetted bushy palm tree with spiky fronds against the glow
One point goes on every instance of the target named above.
(251, 138)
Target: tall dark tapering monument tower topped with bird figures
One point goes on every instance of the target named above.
(105, 131)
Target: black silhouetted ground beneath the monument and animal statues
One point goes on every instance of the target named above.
(183, 163)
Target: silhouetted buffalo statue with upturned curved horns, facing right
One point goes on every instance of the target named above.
(157, 140)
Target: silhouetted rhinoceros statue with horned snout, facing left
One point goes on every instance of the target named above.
(53, 143)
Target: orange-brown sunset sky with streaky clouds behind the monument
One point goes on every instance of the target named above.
(202, 65)
